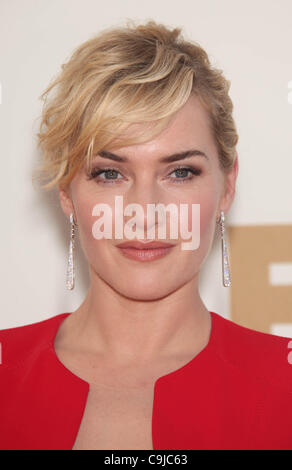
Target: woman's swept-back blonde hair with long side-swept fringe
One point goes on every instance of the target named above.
(125, 75)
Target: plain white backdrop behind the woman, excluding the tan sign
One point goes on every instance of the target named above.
(251, 41)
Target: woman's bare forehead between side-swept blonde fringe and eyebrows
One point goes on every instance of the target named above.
(188, 128)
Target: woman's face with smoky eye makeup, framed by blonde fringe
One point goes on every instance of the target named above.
(143, 179)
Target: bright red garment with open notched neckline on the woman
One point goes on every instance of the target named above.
(235, 394)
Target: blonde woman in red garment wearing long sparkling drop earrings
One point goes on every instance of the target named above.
(139, 113)
